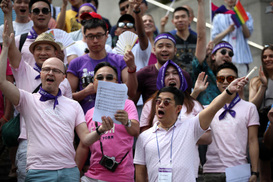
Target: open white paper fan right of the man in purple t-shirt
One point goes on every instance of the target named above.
(126, 41)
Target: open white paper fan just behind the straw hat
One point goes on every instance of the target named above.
(61, 36)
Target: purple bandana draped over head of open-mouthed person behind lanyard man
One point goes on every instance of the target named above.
(161, 76)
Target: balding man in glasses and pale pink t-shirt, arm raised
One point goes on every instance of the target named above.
(50, 120)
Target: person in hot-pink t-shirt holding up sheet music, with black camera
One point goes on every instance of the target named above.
(115, 145)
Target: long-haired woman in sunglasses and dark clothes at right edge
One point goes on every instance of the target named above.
(261, 94)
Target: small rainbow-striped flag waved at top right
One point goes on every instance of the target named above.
(240, 16)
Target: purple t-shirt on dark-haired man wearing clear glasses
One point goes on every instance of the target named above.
(77, 65)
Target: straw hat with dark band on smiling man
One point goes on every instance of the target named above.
(45, 38)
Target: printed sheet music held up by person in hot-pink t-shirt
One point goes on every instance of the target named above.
(110, 97)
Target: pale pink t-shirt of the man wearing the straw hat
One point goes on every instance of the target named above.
(24, 76)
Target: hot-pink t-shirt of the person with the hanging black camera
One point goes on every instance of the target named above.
(116, 143)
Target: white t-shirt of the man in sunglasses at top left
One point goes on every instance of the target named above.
(19, 28)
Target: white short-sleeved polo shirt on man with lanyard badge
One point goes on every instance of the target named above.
(186, 132)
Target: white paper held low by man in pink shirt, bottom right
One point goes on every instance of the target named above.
(239, 173)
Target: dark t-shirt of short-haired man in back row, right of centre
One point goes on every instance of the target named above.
(185, 51)
